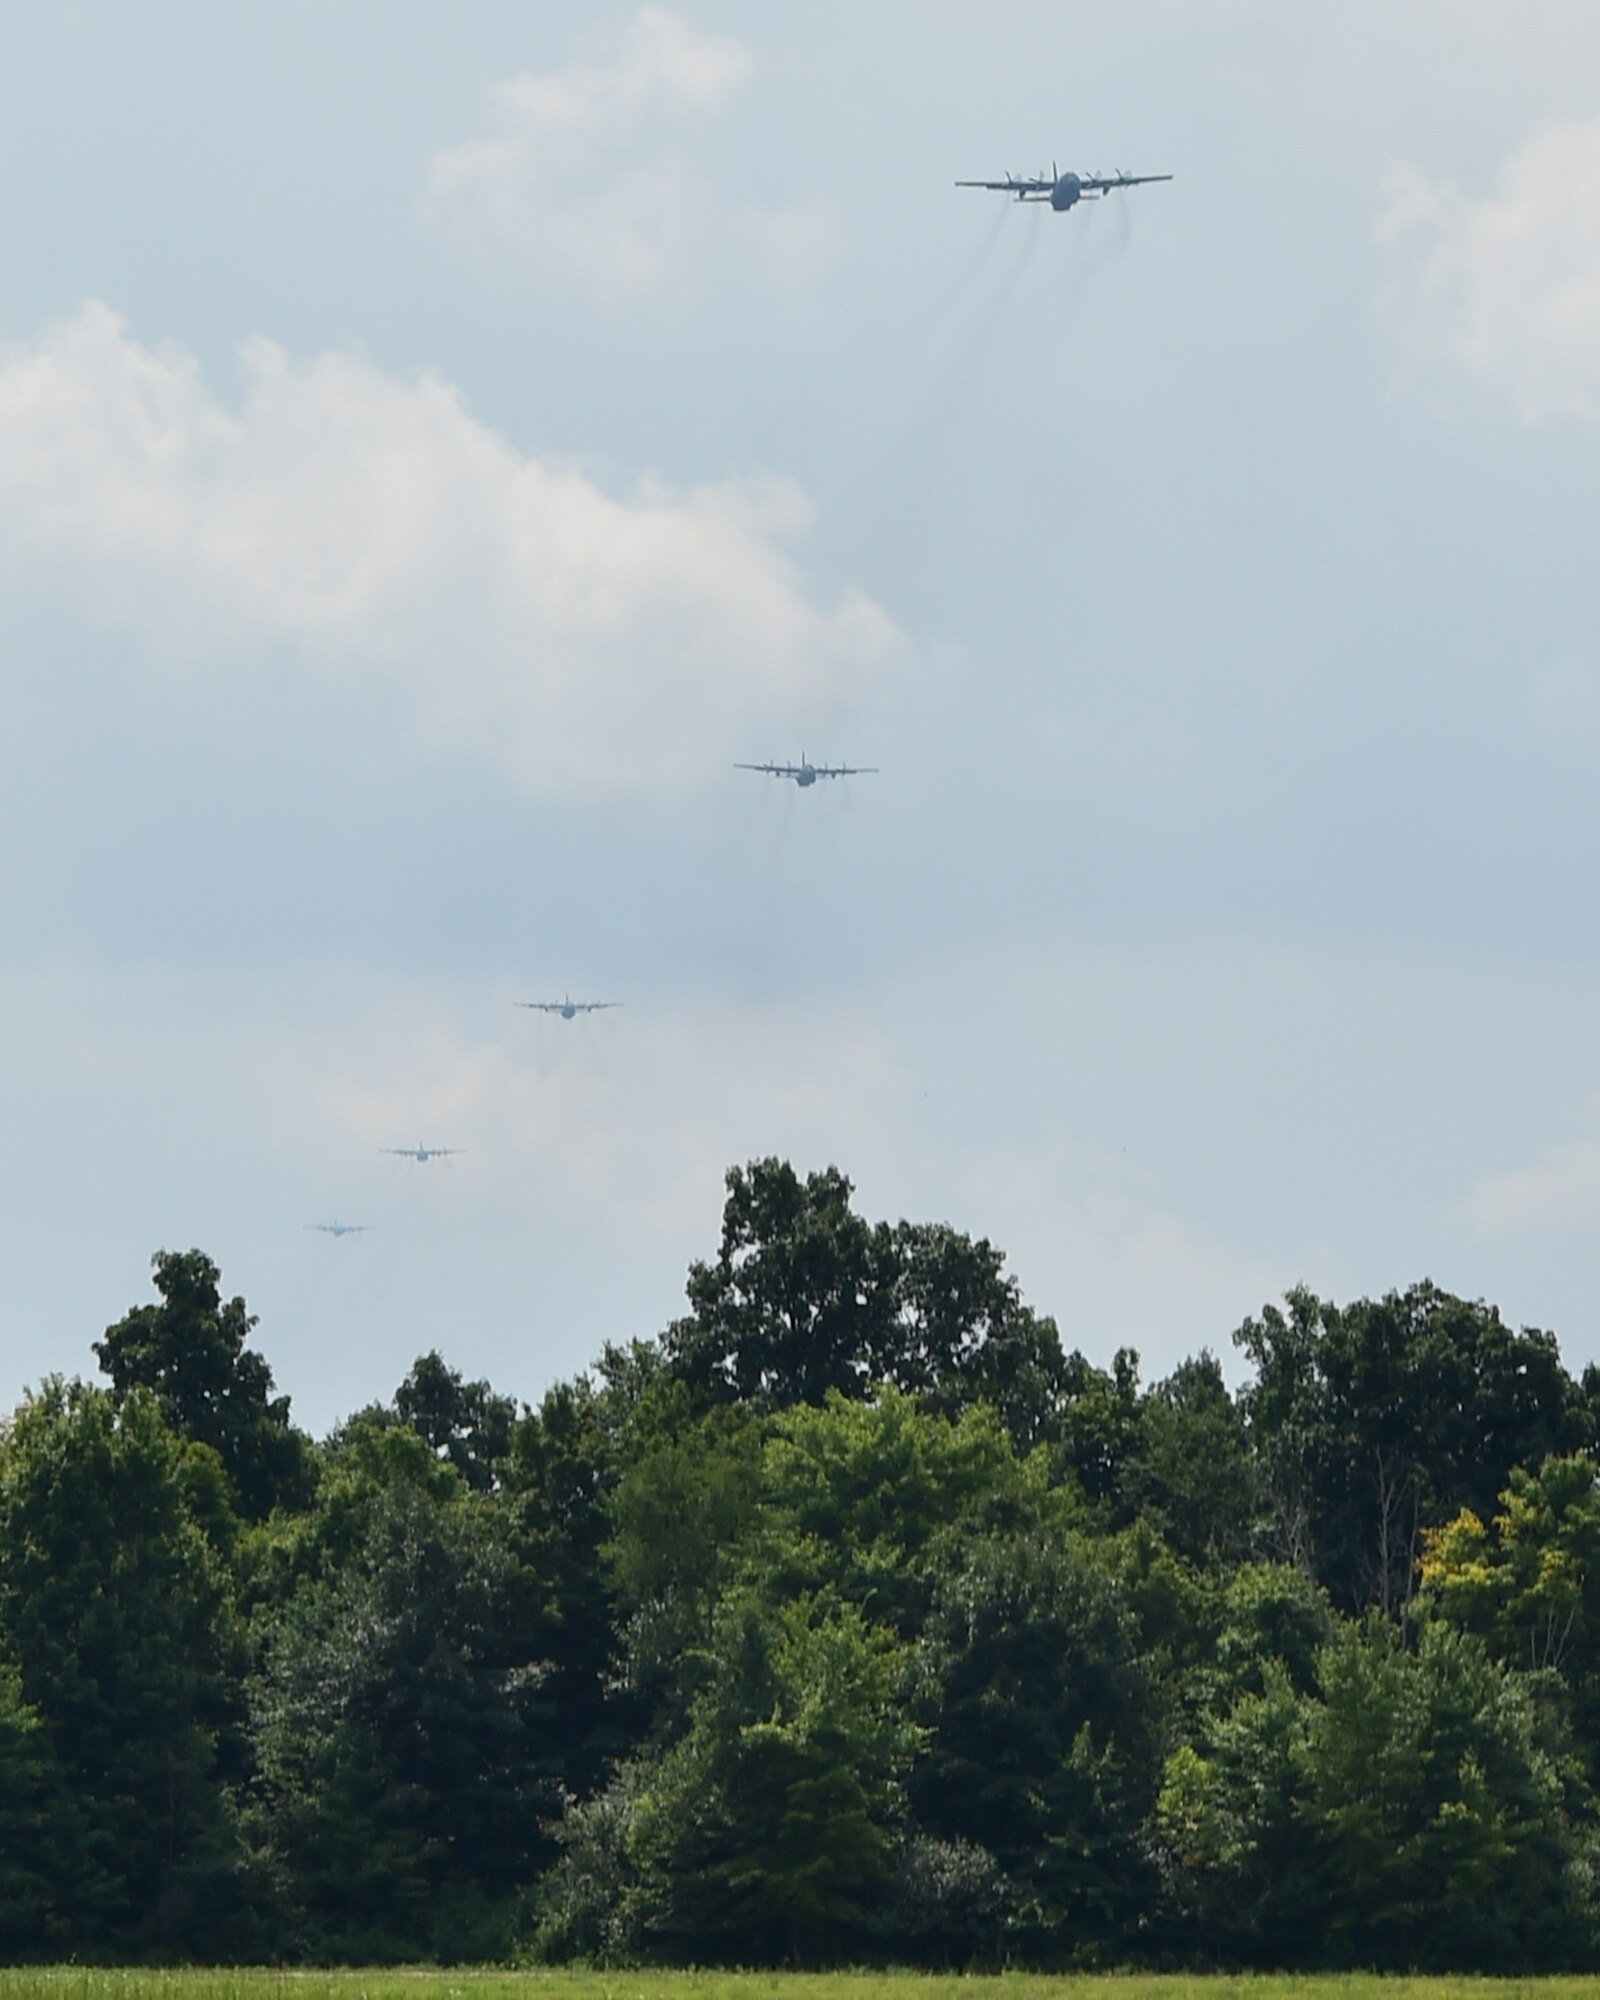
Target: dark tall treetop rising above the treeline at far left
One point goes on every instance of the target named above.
(191, 1353)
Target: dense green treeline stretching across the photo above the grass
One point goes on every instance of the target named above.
(849, 1621)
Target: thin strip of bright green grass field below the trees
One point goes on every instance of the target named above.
(77, 1983)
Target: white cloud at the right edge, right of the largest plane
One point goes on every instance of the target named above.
(1507, 289)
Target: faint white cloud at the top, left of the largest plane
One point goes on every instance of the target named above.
(577, 175)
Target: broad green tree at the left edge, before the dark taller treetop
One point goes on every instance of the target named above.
(115, 1615)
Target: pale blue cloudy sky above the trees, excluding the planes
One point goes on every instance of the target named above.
(437, 445)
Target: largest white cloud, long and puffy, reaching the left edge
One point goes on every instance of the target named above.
(581, 639)
